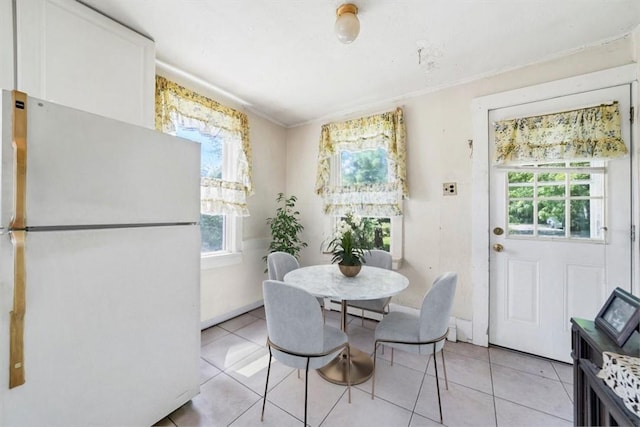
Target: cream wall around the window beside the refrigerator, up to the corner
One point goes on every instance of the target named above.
(233, 289)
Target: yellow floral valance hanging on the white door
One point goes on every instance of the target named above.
(584, 134)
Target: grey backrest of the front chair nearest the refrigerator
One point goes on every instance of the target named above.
(294, 319)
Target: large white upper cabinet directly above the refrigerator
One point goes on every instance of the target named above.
(70, 54)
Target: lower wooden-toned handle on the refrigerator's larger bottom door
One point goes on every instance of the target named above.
(16, 326)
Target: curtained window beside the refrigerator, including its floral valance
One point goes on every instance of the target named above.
(225, 170)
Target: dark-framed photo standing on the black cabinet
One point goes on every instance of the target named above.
(619, 316)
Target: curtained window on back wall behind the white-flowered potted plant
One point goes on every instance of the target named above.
(361, 169)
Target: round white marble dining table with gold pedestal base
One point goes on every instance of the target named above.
(327, 281)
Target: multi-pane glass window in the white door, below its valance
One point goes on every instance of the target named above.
(557, 200)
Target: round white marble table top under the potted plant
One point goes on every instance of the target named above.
(327, 281)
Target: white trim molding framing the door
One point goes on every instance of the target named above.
(480, 227)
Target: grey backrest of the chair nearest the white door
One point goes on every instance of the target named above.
(436, 307)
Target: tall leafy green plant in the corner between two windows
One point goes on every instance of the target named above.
(285, 228)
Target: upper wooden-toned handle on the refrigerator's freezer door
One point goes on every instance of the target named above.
(19, 143)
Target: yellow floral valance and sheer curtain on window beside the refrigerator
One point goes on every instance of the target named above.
(176, 105)
